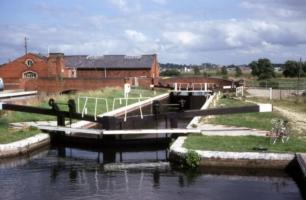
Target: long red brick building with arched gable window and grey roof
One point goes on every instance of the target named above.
(33, 68)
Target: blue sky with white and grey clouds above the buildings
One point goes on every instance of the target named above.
(179, 31)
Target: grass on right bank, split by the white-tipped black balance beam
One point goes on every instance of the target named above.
(250, 120)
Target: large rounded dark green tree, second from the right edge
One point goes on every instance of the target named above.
(262, 68)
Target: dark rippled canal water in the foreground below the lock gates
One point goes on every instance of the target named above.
(72, 173)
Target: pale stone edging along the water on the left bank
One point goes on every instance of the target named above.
(24, 146)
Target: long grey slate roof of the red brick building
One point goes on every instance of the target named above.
(109, 61)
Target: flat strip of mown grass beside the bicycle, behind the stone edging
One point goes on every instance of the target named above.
(243, 144)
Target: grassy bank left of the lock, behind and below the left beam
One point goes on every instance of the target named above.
(9, 135)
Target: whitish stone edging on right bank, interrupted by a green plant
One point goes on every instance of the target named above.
(177, 149)
